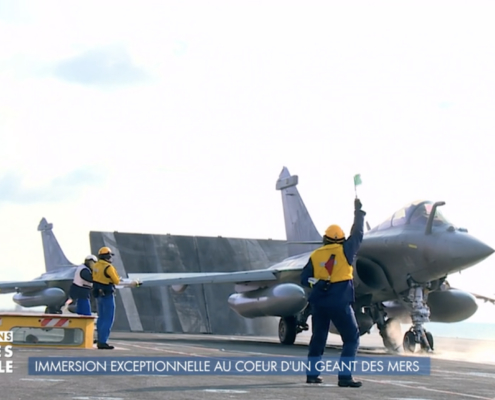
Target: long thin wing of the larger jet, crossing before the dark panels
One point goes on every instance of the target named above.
(191, 278)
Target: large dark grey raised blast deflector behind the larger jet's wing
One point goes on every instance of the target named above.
(199, 308)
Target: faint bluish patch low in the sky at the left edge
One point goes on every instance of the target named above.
(59, 189)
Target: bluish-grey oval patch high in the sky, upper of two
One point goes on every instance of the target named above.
(101, 67)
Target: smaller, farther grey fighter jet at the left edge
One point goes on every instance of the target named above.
(51, 289)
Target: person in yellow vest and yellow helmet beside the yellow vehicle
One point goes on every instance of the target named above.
(105, 277)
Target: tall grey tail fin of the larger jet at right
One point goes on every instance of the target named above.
(299, 226)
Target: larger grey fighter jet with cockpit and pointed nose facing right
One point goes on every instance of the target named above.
(401, 273)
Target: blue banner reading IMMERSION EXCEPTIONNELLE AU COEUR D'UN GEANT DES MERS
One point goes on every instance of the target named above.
(227, 366)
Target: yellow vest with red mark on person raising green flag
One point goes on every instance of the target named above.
(341, 271)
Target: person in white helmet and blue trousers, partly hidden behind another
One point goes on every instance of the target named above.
(80, 290)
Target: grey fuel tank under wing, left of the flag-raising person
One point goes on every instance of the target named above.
(284, 300)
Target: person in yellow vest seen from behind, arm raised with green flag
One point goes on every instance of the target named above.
(329, 273)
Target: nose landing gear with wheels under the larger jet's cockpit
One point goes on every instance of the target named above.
(420, 314)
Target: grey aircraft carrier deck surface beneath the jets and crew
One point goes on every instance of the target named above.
(455, 378)
